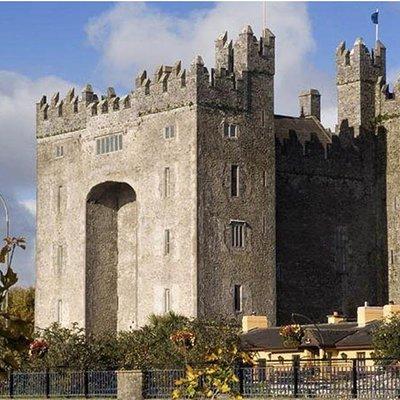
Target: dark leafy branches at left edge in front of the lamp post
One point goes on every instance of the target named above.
(14, 332)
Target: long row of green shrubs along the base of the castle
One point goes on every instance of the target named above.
(151, 347)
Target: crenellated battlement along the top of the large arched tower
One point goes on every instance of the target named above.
(169, 87)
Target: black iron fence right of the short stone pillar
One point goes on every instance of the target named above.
(328, 380)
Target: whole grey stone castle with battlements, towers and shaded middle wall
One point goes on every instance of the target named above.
(190, 195)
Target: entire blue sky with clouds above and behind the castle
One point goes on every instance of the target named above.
(48, 47)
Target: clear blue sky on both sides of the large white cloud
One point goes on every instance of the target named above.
(50, 38)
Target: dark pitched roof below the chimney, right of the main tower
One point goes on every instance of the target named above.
(304, 127)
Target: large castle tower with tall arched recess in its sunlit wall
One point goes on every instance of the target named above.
(163, 199)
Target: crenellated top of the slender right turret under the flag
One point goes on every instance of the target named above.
(359, 63)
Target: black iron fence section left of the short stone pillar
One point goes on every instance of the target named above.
(59, 384)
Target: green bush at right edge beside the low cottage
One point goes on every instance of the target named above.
(386, 340)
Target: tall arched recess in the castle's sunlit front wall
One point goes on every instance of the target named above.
(111, 219)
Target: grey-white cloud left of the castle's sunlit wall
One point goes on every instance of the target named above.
(18, 95)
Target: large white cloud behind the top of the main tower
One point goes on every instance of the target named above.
(135, 36)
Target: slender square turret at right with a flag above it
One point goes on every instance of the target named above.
(358, 71)
